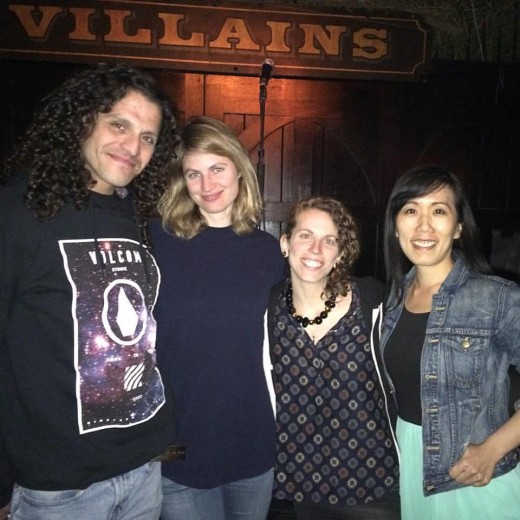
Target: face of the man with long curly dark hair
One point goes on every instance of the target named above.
(122, 142)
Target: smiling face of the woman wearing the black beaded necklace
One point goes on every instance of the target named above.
(312, 248)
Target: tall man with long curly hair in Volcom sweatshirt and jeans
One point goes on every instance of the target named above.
(83, 412)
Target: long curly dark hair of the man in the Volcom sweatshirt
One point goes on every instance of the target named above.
(50, 151)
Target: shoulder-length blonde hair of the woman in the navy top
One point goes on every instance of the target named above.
(179, 213)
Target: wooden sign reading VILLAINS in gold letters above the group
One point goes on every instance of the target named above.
(226, 40)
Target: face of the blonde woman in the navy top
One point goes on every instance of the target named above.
(213, 184)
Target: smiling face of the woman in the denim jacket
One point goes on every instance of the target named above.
(426, 228)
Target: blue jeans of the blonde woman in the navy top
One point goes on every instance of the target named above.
(246, 499)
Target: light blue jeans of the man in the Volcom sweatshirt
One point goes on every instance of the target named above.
(135, 495)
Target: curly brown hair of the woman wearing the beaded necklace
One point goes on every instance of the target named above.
(338, 281)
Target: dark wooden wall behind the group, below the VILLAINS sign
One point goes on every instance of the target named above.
(347, 139)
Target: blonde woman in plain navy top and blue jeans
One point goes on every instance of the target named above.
(217, 269)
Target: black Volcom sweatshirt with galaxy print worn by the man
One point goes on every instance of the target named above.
(77, 346)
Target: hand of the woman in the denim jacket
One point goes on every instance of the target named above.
(476, 466)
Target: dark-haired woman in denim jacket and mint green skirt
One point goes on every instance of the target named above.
(450, 333)
